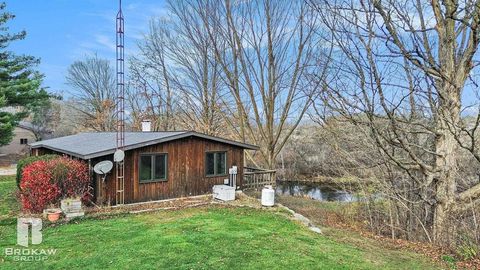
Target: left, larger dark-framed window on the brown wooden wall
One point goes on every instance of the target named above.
(153, 167)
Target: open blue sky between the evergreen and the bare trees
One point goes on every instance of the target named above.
(60, 32)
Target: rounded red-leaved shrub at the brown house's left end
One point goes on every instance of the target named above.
(46, 182)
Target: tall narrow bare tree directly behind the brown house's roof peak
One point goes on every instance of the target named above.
(198, 79)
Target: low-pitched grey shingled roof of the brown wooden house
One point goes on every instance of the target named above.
(96, 144)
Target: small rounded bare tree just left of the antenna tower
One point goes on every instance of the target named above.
(93, 82)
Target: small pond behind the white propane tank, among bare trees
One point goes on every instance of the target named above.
(315, 191)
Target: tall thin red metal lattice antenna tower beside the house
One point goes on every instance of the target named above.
(120, 104)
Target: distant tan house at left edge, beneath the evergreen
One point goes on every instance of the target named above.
(23, 134)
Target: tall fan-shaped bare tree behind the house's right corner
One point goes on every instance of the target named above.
(265, 50)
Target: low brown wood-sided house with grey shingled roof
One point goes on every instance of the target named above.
(158, 165)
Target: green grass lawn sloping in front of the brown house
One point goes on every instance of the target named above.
(211, 237)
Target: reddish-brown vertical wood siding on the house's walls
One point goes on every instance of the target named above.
(185, 175)
